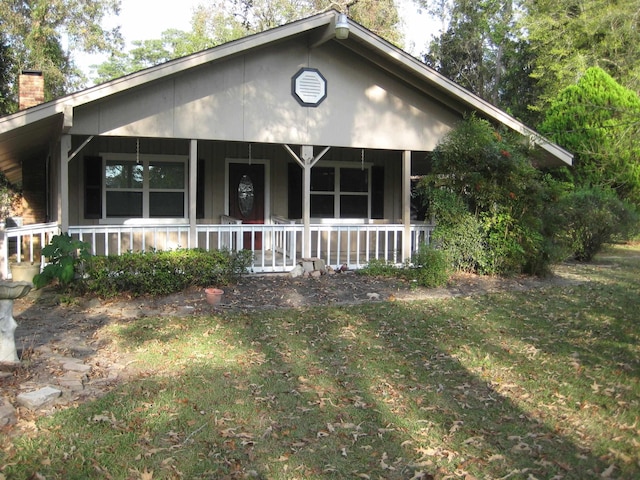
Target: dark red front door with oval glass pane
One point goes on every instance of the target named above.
(246, 197)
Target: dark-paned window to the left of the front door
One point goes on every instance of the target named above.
(149, 188)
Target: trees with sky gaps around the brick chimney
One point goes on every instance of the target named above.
(36, 33)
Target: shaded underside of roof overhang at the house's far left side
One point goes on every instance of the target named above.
(29, 141)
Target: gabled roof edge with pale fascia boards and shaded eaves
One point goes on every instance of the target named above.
(31, 128)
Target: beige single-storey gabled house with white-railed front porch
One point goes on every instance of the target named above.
(295, 142)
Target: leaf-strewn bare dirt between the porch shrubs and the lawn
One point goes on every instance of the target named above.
(53, 338)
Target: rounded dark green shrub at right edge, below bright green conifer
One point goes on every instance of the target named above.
(594, 217)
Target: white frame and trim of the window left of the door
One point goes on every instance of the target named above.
(144, 159)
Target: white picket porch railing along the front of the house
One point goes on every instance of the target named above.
(277, 246)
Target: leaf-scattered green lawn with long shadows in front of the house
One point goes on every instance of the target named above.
(526, 385)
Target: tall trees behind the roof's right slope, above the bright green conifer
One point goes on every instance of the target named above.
(520, 54)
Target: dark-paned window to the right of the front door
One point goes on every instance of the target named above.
(340, 192)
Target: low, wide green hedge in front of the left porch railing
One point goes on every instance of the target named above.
(164, 272)
